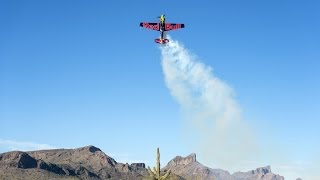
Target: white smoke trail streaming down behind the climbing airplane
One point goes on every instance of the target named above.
(209, 108)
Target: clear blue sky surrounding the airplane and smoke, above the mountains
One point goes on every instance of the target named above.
(74, 73)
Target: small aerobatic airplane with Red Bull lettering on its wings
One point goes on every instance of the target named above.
(162, 26)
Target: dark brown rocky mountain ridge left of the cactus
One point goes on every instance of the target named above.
(83, 163)
